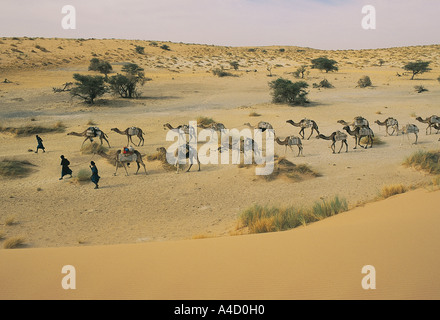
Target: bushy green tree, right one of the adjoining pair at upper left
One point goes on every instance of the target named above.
(126, 85)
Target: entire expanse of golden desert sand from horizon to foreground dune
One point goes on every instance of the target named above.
(151, 219)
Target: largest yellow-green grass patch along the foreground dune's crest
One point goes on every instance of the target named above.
(262, 219)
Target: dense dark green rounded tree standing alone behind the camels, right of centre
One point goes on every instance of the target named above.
(286, 91)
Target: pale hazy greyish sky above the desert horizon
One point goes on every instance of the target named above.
(318, 24)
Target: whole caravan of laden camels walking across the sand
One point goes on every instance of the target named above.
(359, 129)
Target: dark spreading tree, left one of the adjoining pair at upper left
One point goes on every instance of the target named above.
(88, 87)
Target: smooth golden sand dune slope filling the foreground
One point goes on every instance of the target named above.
(398, 236)
